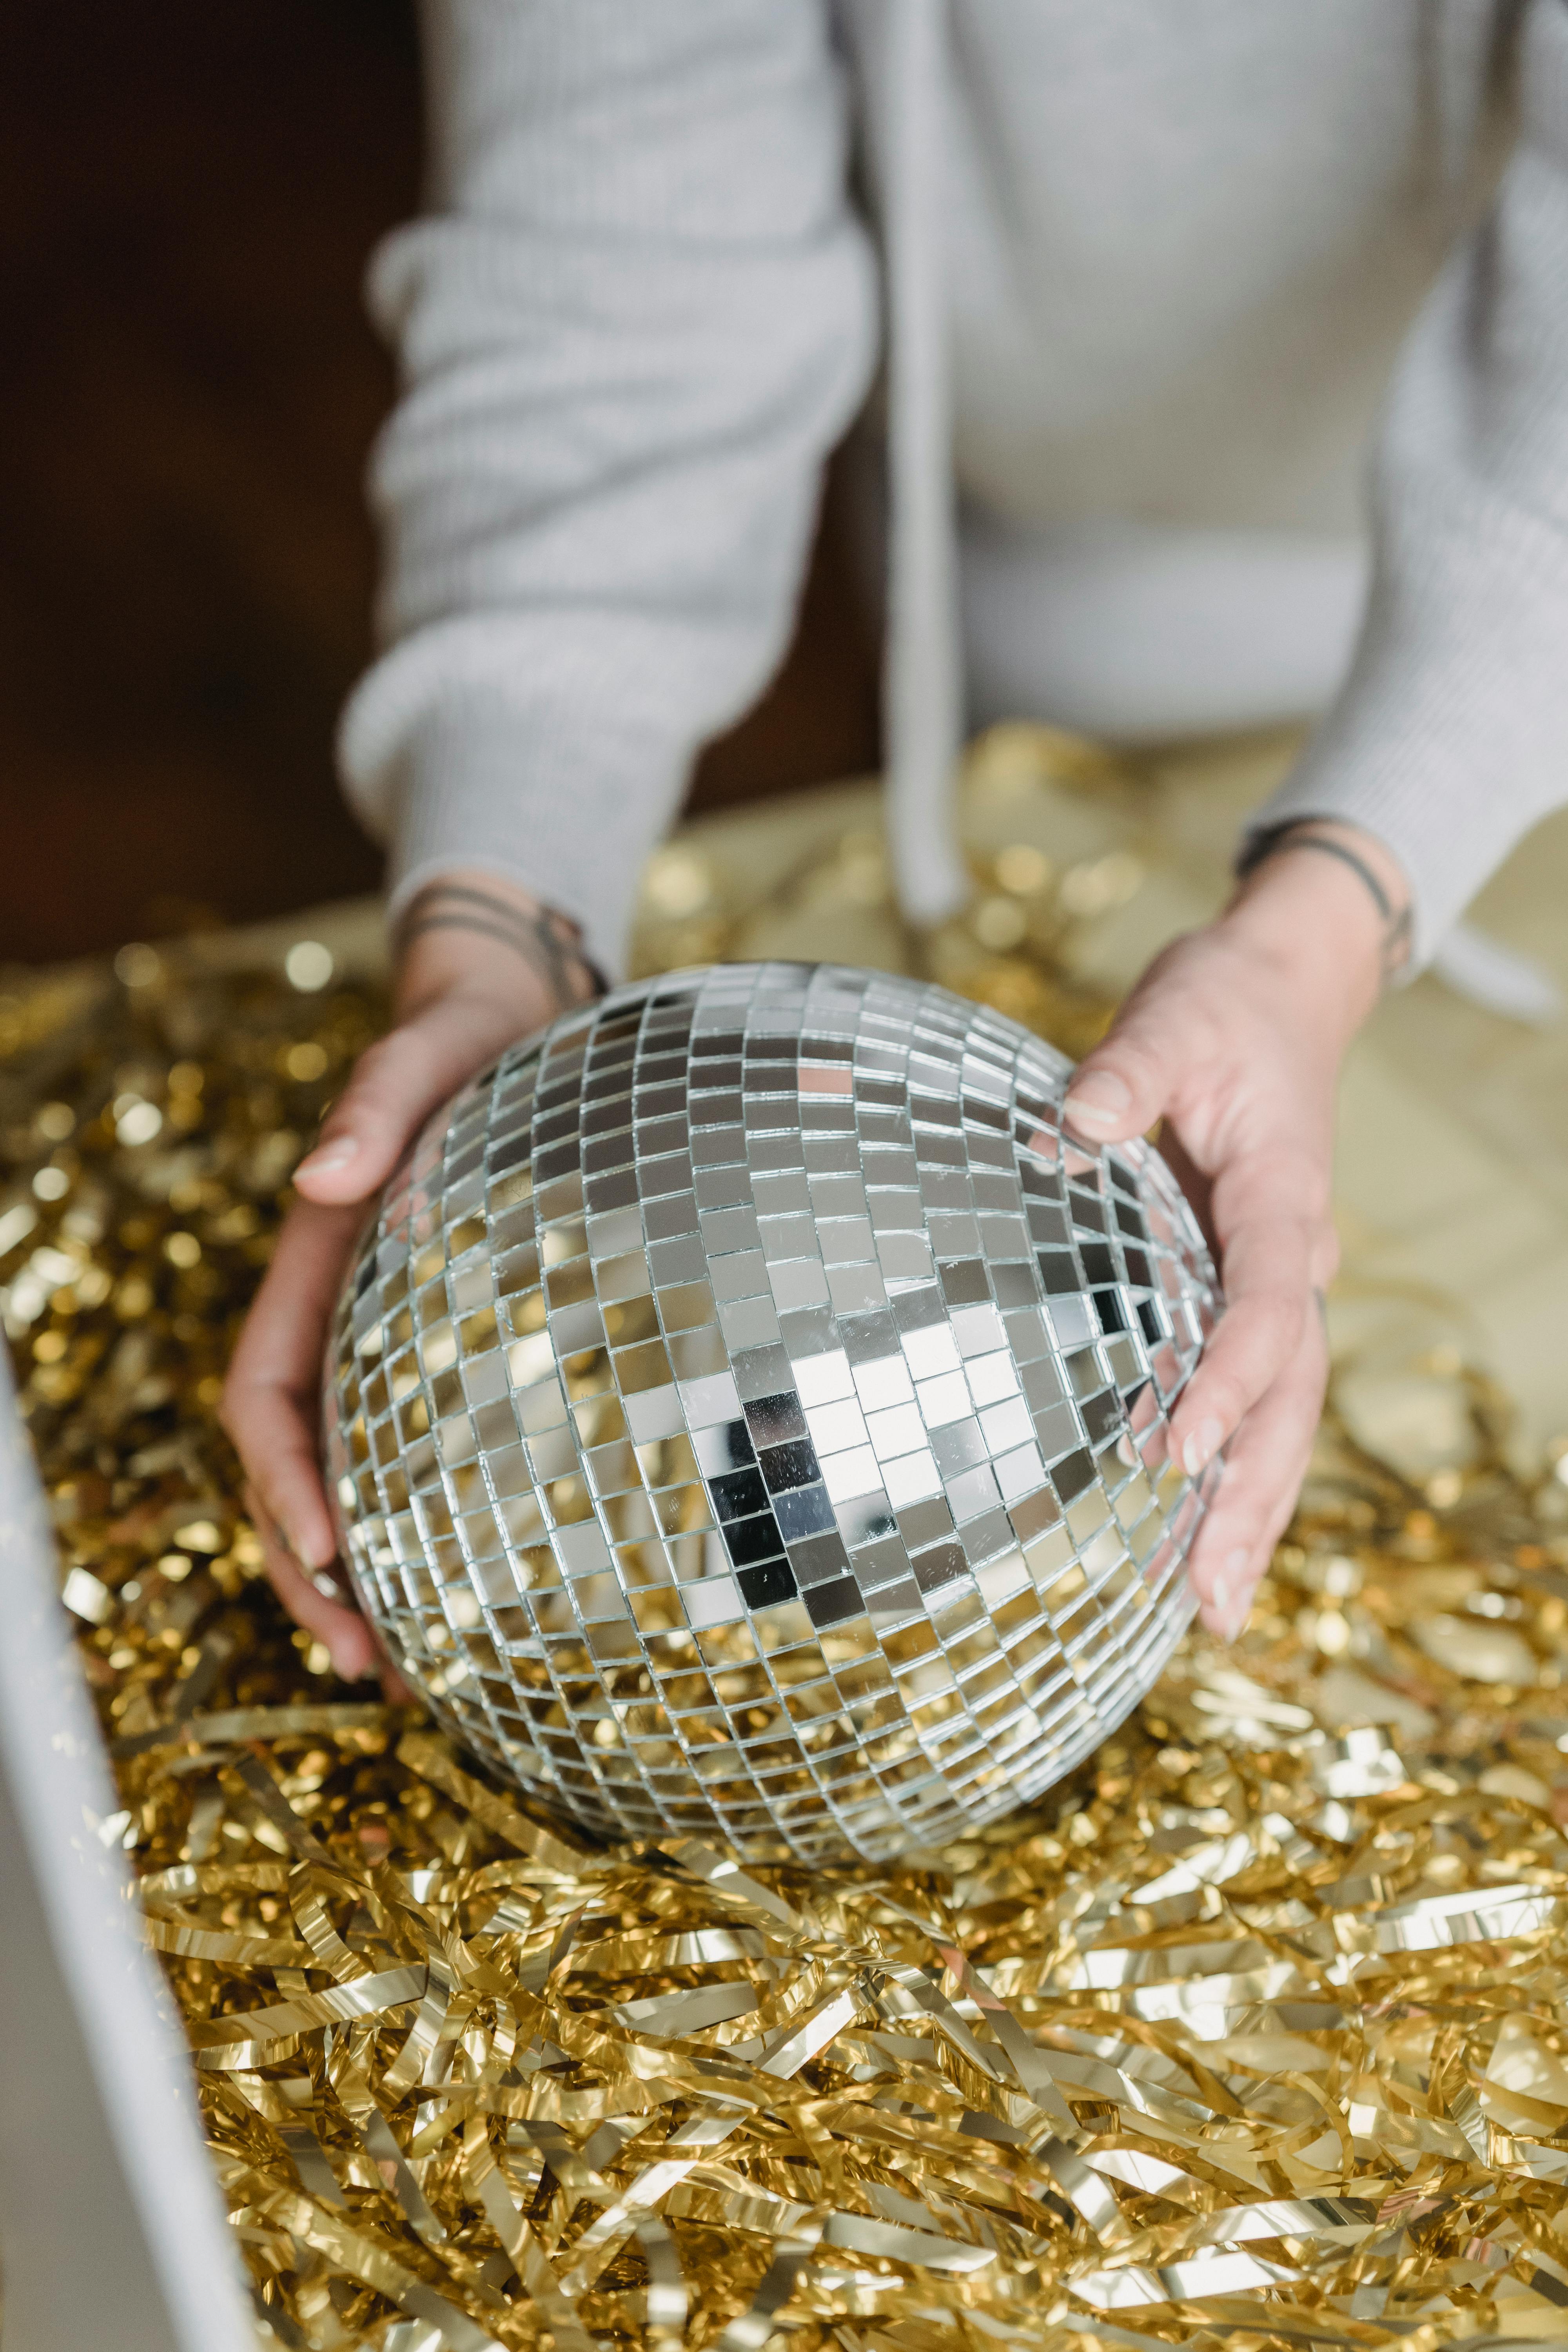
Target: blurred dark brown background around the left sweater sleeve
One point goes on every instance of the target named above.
(187, 399)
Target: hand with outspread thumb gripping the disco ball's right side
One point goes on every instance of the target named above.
(1235, 1038)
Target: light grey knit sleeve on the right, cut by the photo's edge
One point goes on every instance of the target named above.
(1452, 735)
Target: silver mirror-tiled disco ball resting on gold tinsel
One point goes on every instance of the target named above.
(746, 1415)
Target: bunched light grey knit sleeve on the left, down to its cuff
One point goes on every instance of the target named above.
(631, 326)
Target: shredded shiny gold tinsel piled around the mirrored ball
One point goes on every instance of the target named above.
(1257, 2033)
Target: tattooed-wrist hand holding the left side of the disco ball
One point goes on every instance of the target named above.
(481, 963)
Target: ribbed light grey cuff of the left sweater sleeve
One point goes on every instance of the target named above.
(568, 817)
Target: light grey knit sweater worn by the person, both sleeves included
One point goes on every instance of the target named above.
(1153, 279)
